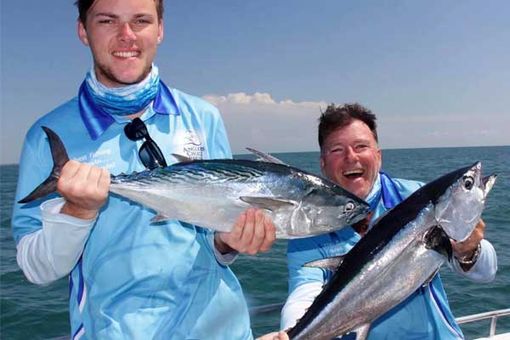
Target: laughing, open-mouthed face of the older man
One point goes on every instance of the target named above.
(351, 158)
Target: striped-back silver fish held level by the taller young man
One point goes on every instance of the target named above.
(213, 193)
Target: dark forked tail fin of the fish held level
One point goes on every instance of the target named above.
(59, 155)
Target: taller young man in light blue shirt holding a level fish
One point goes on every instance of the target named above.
(130, 279)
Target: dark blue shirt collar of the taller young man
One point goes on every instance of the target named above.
(97, 121)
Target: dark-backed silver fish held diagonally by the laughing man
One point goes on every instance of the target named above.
(402, 251)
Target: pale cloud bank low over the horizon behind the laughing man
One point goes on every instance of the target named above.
(258, 121)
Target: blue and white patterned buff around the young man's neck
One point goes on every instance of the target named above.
(126, 100)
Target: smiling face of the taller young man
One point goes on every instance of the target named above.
(123, 36)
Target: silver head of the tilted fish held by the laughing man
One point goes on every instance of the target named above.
(459, 209)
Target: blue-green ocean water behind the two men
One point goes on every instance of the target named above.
(28, 311)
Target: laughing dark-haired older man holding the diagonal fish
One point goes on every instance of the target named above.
(350, 156)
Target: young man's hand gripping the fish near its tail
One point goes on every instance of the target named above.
(85, 189)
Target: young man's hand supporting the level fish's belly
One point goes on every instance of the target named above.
(253, 232)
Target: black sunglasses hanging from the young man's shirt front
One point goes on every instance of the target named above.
(150, 154)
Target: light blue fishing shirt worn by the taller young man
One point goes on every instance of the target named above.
(137, 280)
